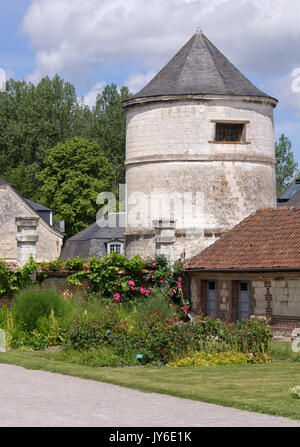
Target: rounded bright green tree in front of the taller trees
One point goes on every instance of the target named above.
(75, 173)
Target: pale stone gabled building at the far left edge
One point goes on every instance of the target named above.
(26, 228)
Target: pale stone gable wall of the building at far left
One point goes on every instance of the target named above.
(11, 206)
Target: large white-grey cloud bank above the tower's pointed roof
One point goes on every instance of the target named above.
(75, 38)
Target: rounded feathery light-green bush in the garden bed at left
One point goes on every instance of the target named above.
(33, 303)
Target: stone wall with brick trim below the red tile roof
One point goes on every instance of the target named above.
(273, 295)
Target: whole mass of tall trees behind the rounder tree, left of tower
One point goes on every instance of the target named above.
(34, 119)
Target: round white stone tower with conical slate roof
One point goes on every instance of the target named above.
(199, 153)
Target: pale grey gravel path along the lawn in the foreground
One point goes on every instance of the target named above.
(31, 398)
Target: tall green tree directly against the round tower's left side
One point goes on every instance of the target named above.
(110, 127)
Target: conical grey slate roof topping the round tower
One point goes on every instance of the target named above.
(199, 68)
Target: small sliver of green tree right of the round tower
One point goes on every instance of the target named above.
(286, 166)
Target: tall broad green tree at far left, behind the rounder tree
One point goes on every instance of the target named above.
(32, 120)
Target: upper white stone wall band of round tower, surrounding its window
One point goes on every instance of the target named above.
(186, 127)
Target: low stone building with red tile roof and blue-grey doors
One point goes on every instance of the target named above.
(253, 269)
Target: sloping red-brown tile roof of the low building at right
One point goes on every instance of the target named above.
(268, 239)
